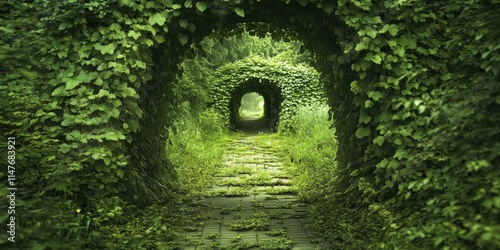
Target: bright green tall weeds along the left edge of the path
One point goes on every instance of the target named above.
(194, 147)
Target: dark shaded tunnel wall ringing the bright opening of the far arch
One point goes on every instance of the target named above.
(272, 99)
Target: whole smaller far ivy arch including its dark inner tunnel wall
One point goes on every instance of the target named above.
(285, 87)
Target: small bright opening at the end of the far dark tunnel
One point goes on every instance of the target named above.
(252, 107)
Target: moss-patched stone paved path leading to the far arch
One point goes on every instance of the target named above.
(252, 205)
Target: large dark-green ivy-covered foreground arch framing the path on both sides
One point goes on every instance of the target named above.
(88, 90)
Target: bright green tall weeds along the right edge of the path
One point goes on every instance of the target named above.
(312, 148)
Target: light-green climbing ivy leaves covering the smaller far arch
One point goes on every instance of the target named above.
(298, 84)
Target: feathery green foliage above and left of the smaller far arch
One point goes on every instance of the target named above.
(213, 52)
